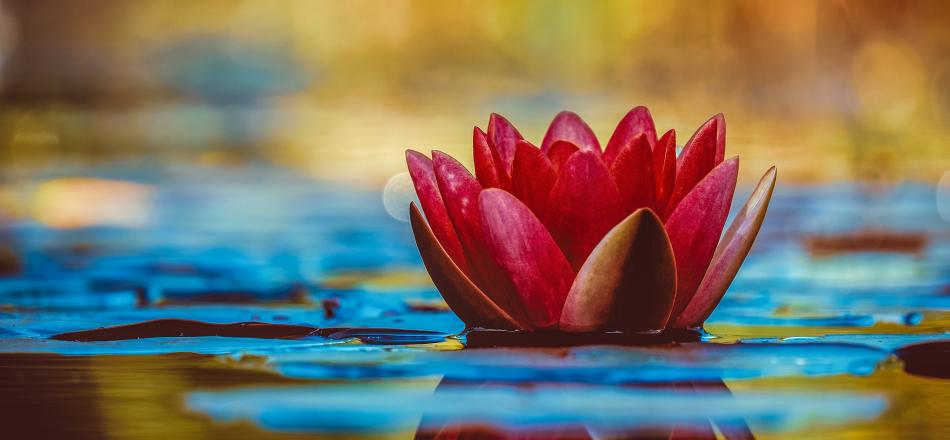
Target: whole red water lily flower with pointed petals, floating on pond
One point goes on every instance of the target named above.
(573, 238)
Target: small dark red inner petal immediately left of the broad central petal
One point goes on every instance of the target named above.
(533, 177)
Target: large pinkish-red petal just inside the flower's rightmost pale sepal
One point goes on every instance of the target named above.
(695, 226)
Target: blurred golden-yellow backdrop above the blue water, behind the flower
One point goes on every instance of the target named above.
(827, 90)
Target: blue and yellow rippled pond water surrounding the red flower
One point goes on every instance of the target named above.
(837, 326)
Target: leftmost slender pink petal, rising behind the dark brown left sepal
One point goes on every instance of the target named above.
(423, 178)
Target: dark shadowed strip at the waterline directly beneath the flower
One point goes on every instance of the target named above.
(483, 338)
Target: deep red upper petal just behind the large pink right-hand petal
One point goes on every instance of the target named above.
(694, 163)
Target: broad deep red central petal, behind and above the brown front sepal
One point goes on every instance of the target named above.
(584, 205)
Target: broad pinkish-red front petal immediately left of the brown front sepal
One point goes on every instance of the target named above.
(531, 259)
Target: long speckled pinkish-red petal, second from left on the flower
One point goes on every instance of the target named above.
(460, 192)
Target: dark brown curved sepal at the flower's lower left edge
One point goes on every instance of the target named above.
(462, 296)
